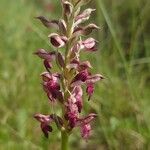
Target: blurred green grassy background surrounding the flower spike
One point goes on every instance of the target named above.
(122, 100)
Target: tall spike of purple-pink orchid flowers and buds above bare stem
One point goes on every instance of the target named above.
(65, 86)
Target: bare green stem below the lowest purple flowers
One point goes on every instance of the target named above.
(64, 140)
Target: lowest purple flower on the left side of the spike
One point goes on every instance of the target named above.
(45, 120)
